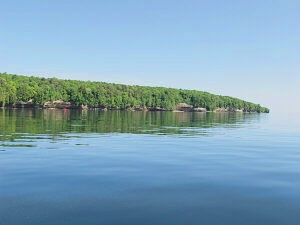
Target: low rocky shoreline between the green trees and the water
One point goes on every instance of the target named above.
(180, 107)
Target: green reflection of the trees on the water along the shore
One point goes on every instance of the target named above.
(48, 124)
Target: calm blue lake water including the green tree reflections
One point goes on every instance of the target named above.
(140, 168)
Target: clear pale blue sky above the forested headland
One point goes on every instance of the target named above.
(246, 49)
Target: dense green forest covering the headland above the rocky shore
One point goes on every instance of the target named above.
(37, 90)
